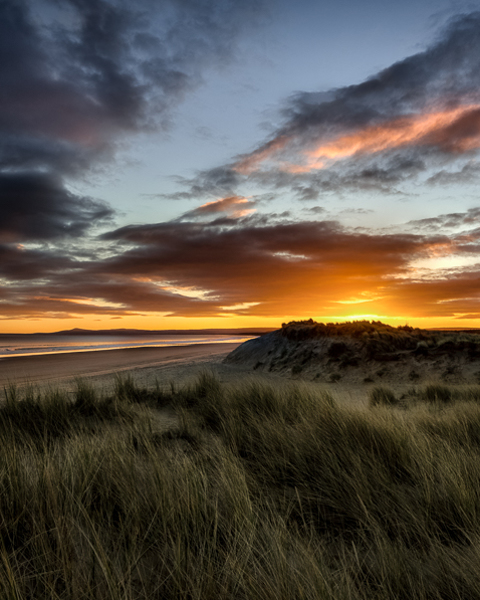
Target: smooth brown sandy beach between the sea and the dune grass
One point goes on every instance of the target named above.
(149, 367)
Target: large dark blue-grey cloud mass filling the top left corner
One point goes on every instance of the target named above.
(78, 75)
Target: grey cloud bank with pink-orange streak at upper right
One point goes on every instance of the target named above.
(419, 116)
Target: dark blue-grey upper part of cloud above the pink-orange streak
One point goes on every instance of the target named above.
(445, 75)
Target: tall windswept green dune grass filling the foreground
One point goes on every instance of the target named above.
(259, 493)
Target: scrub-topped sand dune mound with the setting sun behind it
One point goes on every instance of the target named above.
(363, 351)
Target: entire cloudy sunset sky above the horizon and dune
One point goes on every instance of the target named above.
(192, 164)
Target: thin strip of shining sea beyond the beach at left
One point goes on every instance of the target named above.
(34, 345)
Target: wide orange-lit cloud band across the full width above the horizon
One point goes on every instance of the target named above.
(252, 266)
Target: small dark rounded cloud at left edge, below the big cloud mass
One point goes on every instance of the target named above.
(37, 207)
